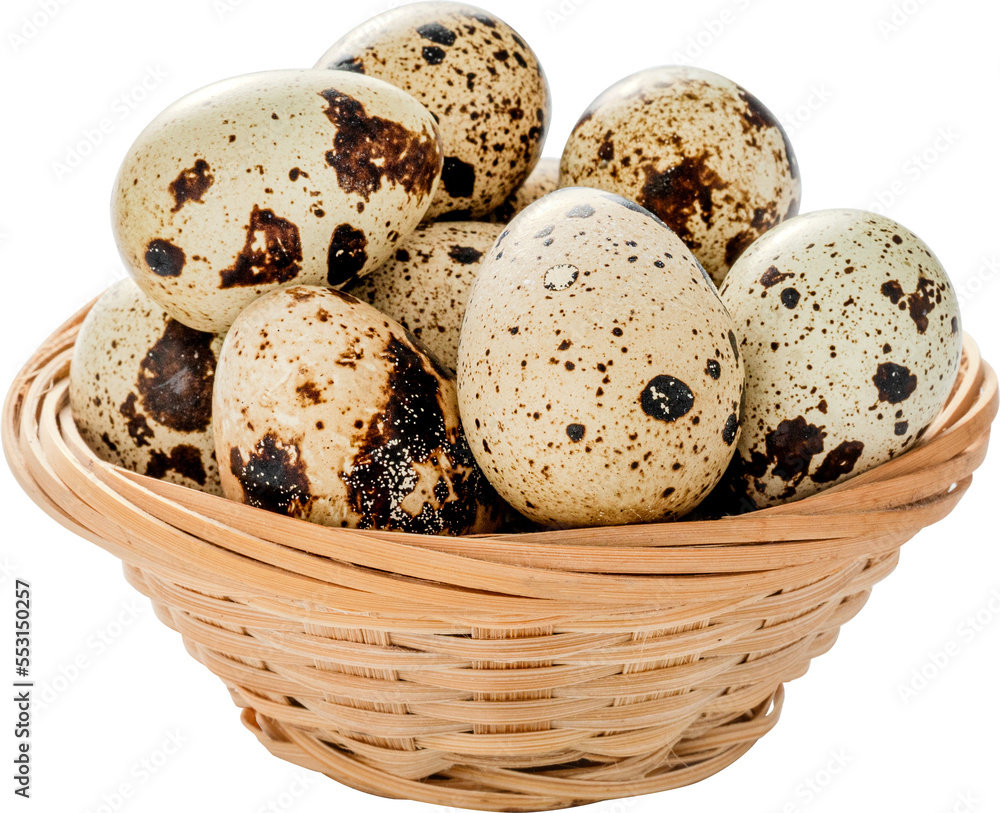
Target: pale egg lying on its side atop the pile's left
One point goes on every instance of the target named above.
(271, 179)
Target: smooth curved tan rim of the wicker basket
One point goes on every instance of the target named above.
(869, 515)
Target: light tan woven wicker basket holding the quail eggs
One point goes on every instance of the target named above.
(525, 672)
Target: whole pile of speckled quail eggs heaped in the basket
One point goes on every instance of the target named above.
(358, 295)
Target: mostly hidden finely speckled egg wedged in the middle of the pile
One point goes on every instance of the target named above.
(426, 284)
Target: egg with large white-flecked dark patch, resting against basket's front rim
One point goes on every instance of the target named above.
(327, 410)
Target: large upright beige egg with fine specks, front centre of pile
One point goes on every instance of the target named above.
(598, 374)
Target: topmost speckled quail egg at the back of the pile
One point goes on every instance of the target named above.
(481, 81)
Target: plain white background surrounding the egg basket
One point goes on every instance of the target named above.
(887, 105)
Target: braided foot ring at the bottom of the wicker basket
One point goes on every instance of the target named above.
(690, 762)
